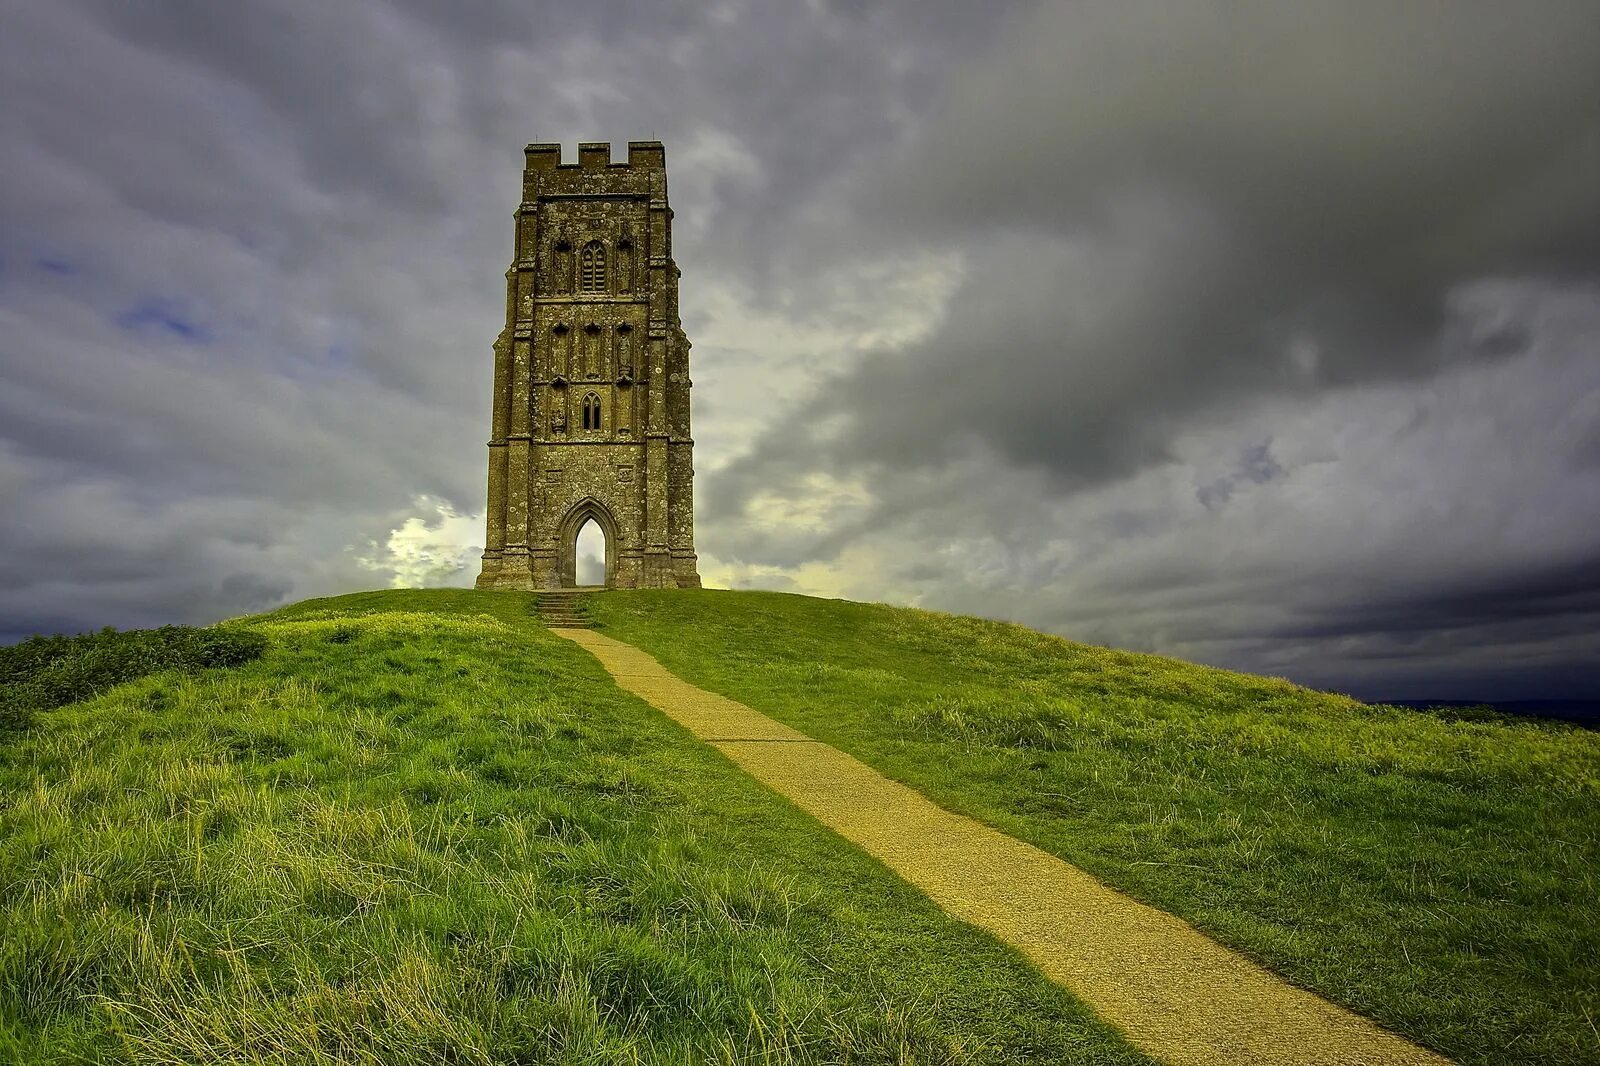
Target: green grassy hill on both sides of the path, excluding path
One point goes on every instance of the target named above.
(420, 828)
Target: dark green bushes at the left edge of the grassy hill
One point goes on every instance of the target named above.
(47, 673)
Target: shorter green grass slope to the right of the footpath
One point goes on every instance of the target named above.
(1436, 875)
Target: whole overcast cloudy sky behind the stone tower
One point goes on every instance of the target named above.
(1257, 334)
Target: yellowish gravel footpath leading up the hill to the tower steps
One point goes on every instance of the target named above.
(1174, 993)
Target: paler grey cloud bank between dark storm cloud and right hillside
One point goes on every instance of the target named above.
(1394, 540)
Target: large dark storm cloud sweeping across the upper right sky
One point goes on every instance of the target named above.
(1167, 207)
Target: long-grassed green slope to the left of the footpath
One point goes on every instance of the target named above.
(422, 838)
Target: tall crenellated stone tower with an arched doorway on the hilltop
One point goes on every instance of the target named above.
(591, 380)
